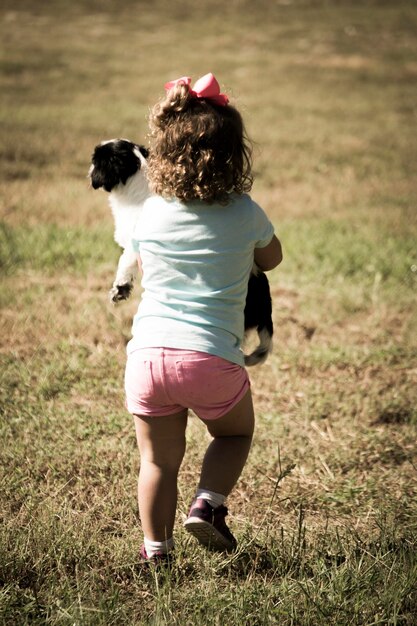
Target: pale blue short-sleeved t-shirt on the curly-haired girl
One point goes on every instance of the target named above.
(196, 261)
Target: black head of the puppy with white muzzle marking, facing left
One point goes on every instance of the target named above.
(114, 162)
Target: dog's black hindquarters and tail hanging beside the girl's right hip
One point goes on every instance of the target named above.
(258, 315)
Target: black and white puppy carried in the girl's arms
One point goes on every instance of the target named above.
(119, 166)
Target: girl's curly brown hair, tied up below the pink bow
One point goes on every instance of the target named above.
(199, 150)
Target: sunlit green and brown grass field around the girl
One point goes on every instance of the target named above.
(326, 509)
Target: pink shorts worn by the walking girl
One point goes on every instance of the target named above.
(164, 381)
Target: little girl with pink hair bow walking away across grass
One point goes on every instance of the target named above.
(197, 239)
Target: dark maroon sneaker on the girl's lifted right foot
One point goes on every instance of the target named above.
(207, 525)
